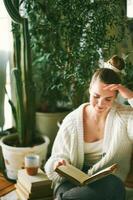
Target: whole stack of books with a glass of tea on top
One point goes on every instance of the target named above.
(36, 187)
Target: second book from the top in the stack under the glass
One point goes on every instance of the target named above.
(45, 192)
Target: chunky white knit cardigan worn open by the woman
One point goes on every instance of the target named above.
(117, 142)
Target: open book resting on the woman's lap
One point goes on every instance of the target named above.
(80, 178)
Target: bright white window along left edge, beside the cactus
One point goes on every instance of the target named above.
(5, 52)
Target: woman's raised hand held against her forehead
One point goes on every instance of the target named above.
(125, 92)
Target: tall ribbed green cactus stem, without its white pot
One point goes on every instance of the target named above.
(22, 72)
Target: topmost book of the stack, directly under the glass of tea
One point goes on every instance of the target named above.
(32, 183)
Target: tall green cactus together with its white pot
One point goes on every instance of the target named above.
(26, 140)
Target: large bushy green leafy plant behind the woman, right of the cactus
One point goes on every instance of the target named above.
(66, 38)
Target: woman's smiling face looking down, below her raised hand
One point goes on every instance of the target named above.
(101, 100)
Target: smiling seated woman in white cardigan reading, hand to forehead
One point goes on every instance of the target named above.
(94, 136)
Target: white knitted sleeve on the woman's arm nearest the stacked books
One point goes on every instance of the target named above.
(60, 150)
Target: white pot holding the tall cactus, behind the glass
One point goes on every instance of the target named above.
(14, 156)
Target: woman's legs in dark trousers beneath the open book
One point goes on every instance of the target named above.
(109, 187)
